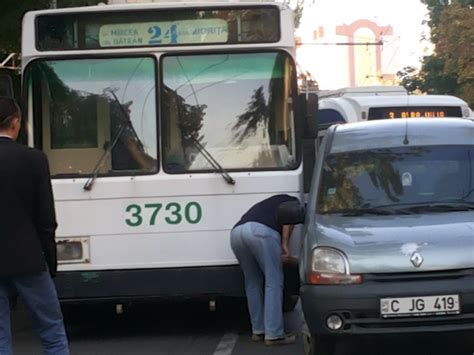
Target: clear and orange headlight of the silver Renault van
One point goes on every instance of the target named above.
(330, 267)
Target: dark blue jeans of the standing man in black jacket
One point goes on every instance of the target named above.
(39, 296)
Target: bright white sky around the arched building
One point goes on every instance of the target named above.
(328, 63)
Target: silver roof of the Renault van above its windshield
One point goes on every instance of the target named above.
(395, 133)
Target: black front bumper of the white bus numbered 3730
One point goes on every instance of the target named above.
(185, 282)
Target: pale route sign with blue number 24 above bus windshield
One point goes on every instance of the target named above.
(163, 33)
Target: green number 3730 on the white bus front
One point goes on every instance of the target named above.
(170, 213)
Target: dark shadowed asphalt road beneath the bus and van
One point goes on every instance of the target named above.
(189, 328)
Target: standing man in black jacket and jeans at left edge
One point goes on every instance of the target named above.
(27, 232)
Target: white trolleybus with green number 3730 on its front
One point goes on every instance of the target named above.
(163, 123)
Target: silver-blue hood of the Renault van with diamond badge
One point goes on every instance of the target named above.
(385, 244)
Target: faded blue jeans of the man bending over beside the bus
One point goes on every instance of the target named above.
(258, 250)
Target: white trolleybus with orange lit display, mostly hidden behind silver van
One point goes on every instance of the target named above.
(368, 103)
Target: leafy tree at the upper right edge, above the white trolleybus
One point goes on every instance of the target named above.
(450, 70)
